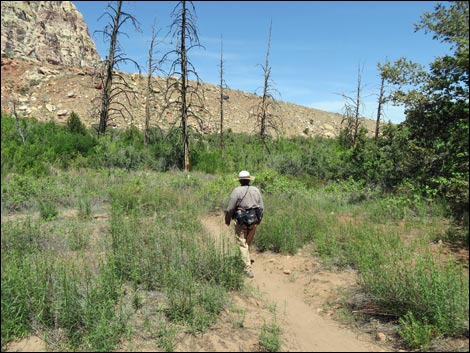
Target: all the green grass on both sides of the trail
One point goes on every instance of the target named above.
(57, 276)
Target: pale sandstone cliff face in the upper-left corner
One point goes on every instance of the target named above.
(47, 31)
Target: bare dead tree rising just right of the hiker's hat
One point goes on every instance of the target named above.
(266, 120)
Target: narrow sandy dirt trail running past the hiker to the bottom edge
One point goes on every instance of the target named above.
(299, 289)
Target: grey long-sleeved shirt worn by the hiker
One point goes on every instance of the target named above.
(244, 197)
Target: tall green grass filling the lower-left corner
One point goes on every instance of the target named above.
(44, 290)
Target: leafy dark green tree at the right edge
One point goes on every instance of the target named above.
(436, 103)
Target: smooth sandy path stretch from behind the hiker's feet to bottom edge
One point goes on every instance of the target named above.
(303, 327)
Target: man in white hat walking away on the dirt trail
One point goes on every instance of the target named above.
(247, 208)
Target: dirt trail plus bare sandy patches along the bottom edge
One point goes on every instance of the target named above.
(294, 292)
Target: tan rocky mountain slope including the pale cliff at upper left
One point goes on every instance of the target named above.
(48, 70)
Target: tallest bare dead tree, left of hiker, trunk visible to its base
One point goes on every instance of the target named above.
(190, 98)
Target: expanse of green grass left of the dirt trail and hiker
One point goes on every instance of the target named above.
(56, 277)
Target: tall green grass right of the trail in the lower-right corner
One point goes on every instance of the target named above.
(422, 289)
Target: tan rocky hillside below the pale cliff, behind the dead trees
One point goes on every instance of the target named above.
(52, 92)
